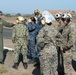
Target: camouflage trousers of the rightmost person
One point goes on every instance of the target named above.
(67, 62)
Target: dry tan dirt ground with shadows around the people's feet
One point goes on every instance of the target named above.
(6, 68)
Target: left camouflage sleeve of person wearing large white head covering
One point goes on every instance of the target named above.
(40, 38)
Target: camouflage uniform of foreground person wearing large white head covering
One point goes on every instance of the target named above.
(48, 54)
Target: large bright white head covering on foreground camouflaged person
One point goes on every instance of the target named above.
(48, 16)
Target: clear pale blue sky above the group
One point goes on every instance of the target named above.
(28, 6)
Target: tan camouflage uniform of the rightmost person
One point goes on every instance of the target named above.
(69, 39)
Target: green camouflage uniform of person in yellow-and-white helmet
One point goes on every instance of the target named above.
(20, 38)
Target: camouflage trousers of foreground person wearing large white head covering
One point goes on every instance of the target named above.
(48, 64)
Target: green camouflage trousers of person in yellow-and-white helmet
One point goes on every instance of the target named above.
(23, 50)
